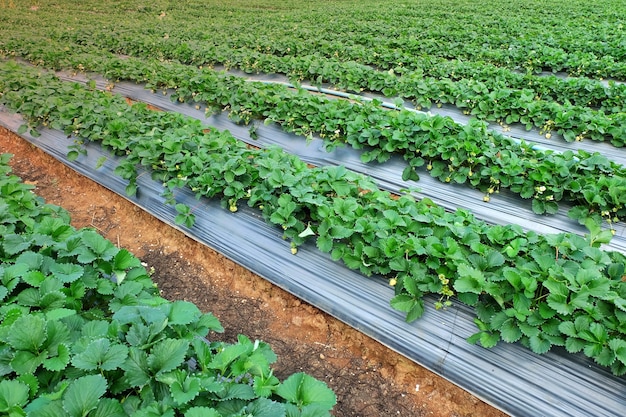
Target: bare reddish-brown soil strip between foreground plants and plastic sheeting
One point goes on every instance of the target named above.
(369, 379)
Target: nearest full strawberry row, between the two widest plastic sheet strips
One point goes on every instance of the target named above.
(552, 290)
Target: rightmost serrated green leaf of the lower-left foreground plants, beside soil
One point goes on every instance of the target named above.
(303, 389)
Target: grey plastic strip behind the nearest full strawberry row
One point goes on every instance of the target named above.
(503, 208)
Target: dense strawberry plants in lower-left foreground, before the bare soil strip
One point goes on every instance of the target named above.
(83, 331)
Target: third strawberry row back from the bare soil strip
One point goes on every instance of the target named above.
(577, 109)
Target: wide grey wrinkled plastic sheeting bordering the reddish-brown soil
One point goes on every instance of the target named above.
(509, 376)
